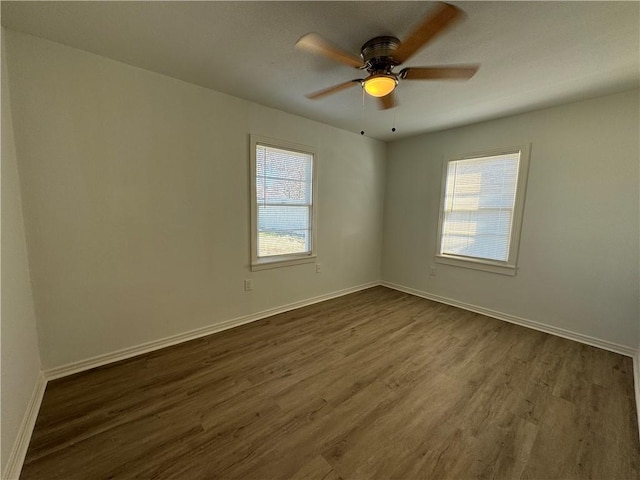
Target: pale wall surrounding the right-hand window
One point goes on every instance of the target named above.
(578, 265)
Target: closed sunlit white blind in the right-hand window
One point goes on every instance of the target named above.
(478, 212)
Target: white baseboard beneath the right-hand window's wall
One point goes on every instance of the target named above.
(560, 332)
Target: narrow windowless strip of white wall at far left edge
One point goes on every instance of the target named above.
(20, 355)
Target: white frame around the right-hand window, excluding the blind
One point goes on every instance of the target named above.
(510, 266)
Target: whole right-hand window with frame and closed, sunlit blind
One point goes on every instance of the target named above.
(481, 210)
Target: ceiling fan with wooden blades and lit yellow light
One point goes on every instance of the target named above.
(380, 55)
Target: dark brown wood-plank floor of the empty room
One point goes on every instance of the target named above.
(374, 385)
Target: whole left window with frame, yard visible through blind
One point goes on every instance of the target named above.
(283, 203)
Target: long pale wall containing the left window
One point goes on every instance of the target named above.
(136, 199)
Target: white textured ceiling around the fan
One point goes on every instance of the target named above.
(532, 54)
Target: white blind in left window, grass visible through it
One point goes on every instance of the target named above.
(284, 196)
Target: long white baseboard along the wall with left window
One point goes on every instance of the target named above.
(100, 360)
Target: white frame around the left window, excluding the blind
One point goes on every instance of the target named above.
(258, 263)
